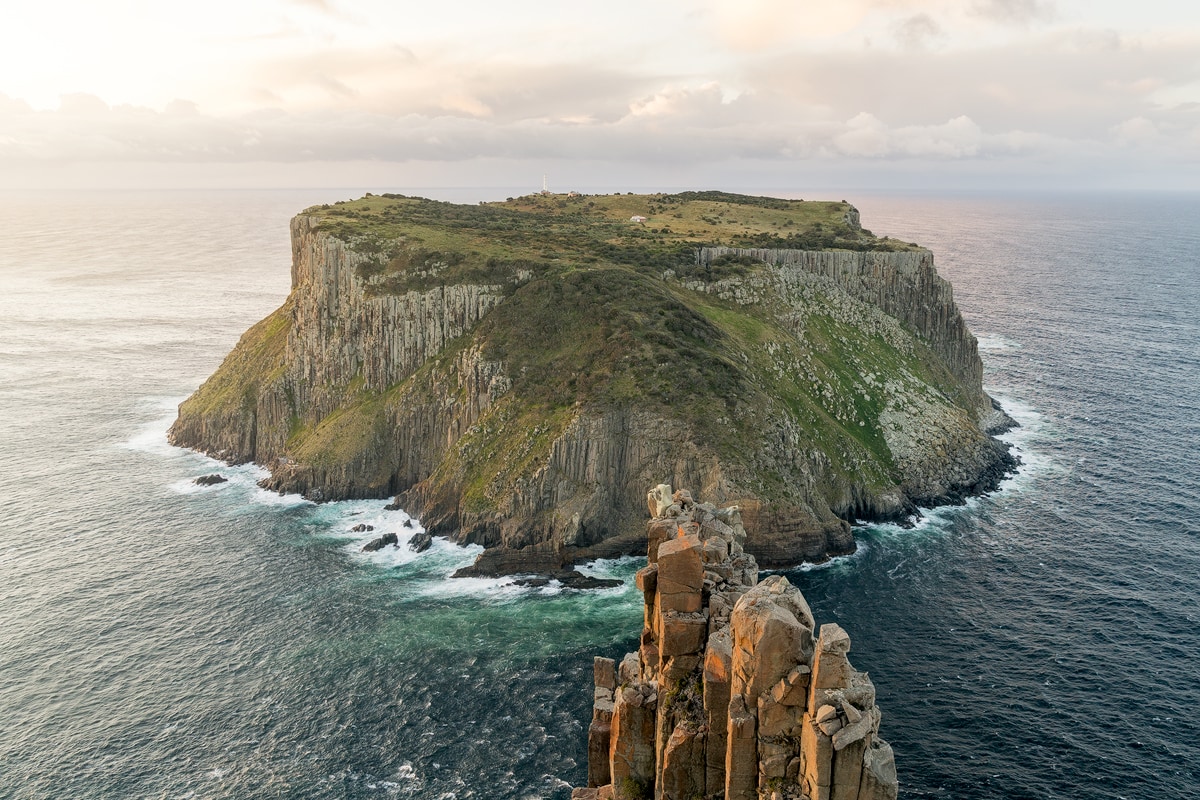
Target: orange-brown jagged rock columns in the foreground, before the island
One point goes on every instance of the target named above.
(735, 693)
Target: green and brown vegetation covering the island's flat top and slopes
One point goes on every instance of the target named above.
(604, 312)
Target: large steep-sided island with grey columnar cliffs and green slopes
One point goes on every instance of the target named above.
(521, 404)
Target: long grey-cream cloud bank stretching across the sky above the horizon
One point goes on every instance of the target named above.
(1065, 94)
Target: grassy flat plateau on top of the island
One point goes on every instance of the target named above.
(417, 244)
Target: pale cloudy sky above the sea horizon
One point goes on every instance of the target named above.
(904, 95)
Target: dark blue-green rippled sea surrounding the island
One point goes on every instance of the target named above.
(164, 640)
